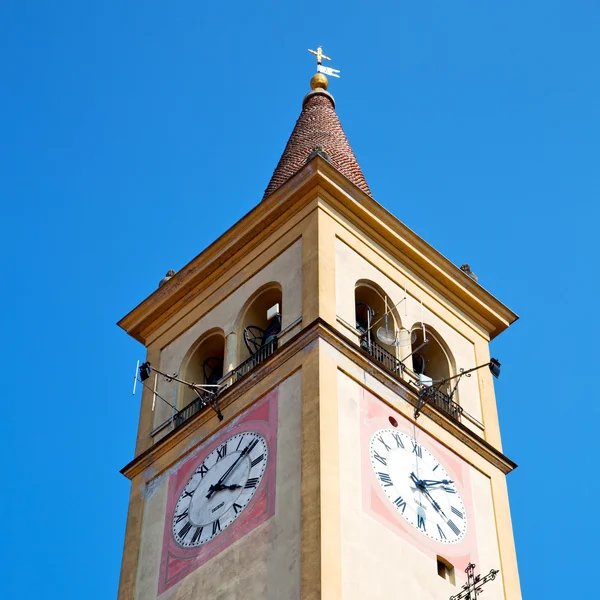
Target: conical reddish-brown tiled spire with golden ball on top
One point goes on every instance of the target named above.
(318, 130)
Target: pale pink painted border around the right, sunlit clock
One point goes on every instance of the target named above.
(374, 415)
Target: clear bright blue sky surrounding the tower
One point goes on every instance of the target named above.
(127, 127)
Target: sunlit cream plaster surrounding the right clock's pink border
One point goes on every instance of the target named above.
(376, 562)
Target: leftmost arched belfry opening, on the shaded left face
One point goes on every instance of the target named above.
(205, 365)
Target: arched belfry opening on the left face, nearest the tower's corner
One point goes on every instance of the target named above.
(260, 325)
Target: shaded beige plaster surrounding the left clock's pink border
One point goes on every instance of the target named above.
(263, 564)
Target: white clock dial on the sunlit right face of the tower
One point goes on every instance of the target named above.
(418, 486)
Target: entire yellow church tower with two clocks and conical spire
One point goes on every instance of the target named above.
(305, 429)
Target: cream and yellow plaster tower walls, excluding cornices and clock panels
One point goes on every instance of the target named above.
(319, 542)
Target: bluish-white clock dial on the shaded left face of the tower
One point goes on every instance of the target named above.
(220, 489)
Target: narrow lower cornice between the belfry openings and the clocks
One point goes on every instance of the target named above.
(318, 329)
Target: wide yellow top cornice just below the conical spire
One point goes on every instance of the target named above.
(283, 204)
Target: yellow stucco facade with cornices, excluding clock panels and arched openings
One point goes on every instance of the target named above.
(314, 238)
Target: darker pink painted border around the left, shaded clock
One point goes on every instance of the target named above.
(177, 562)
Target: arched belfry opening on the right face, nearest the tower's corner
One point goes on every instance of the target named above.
(371, 306)
